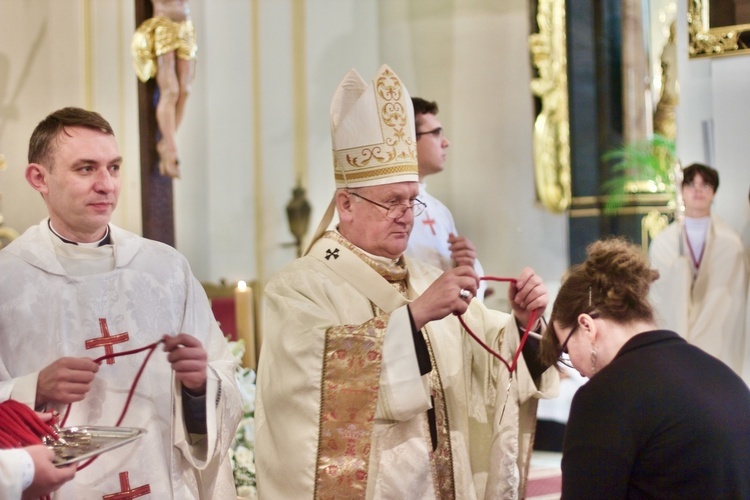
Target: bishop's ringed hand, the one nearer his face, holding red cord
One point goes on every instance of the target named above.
(449, 294)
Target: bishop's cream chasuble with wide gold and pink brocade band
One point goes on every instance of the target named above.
(342, 410)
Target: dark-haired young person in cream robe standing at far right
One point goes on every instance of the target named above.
(701, 291)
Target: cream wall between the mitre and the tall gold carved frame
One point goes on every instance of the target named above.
(472, 58)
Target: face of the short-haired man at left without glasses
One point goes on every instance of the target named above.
(82, 186)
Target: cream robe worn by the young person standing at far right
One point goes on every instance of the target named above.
(710, 310)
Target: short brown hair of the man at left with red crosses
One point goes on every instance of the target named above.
(48, 130)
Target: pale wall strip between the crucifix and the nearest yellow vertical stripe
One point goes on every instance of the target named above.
(214, 210)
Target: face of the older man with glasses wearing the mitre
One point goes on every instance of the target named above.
(368, 226)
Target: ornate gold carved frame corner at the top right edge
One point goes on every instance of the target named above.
(705, 39)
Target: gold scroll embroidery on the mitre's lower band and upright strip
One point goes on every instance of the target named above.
(397, 153)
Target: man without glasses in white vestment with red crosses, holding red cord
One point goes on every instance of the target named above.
(76, 287)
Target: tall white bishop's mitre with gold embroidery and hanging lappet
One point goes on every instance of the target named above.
(373, 135)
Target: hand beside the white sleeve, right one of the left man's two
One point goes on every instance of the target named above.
(189, 361)
